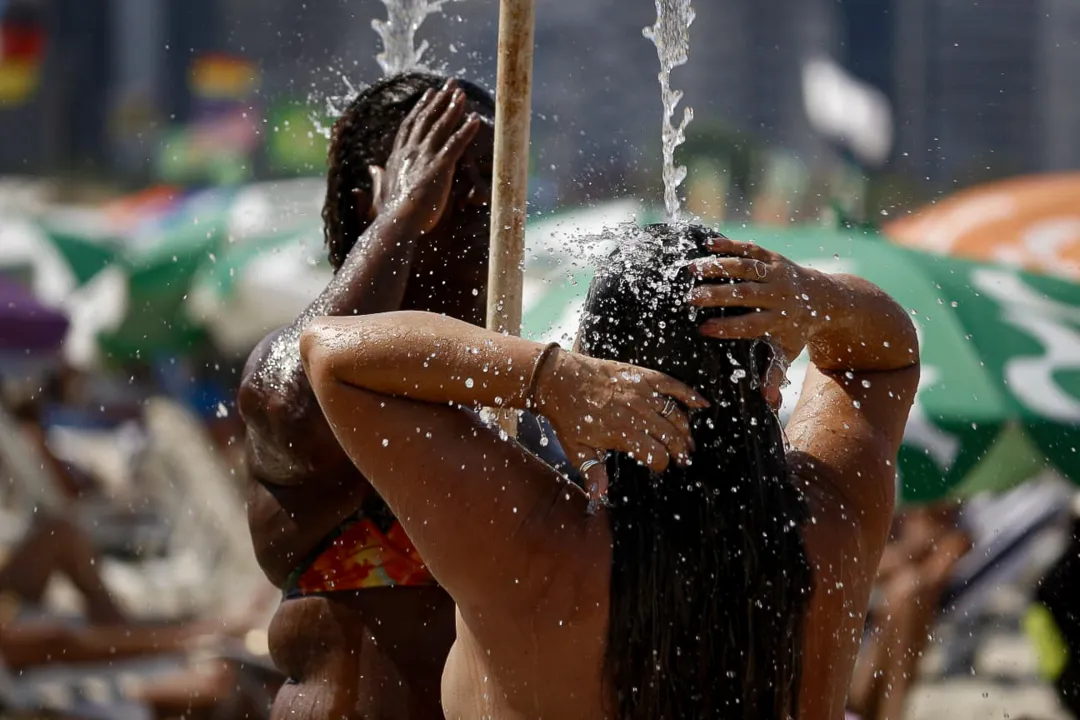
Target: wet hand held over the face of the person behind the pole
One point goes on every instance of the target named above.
(430, 143)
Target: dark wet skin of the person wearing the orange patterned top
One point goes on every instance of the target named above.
(373, 654)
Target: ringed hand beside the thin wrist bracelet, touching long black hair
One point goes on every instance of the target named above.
(597, 406)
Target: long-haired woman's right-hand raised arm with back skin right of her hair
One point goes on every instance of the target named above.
(845, 433)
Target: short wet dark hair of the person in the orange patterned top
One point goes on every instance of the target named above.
(364, 137)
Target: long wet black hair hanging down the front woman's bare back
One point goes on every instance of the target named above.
(710, 578)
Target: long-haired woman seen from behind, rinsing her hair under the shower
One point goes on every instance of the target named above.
(710, 570)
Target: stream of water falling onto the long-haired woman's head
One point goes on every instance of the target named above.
(671, 36)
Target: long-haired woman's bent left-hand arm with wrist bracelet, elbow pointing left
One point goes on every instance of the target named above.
(391, 386)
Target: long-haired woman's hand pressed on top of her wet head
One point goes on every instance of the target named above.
(779, 294)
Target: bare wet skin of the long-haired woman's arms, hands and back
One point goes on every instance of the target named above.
(530, 572)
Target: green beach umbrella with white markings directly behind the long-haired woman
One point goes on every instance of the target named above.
(1001, 391)
